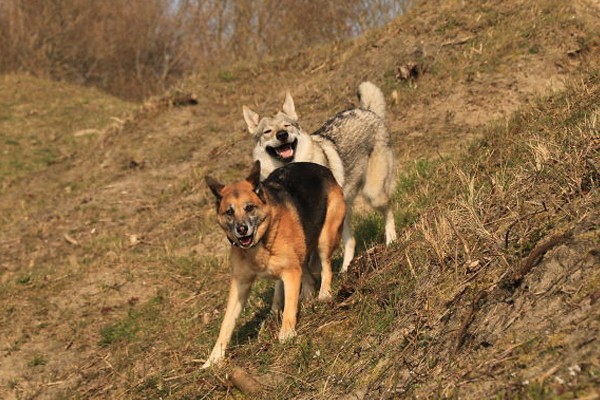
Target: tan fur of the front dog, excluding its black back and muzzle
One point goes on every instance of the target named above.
(279, 253)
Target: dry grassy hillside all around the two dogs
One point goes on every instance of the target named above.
(114, 275)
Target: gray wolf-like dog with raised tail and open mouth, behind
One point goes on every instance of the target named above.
(354, 144)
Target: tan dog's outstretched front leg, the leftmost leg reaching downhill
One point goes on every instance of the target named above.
(238, 294)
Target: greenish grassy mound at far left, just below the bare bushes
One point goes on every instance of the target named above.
(43, 122)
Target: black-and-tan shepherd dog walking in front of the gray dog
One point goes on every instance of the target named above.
(273, 227)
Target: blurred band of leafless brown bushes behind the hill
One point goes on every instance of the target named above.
(133, 48)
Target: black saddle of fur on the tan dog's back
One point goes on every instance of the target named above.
(307, 186)
